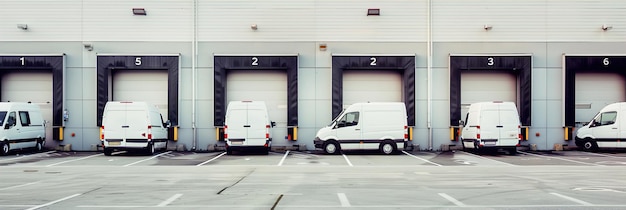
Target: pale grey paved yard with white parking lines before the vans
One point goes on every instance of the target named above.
(310, 179)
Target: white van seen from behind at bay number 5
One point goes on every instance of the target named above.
(132, 126)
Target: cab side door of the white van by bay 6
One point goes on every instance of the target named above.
(605, 129)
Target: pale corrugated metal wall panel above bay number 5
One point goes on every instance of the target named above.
(113, 20)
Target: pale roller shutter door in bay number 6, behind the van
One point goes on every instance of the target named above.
(594, 91)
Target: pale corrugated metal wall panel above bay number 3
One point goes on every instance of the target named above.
(463, 20)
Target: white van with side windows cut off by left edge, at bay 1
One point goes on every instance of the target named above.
(22, 127)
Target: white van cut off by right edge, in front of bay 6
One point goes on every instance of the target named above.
(606, 130)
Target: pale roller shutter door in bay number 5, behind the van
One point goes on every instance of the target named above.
(142, 85)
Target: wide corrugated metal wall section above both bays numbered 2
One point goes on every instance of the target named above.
(308, 20)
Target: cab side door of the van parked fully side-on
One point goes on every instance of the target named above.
(348, 131)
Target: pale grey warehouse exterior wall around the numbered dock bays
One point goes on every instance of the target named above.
(545, 29)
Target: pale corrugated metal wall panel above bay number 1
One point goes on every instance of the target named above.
(47, 20)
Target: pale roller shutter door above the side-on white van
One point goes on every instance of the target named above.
(372, 86)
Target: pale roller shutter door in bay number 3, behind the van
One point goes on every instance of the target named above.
(487, 86)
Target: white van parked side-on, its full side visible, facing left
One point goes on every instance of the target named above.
(366, 126)
